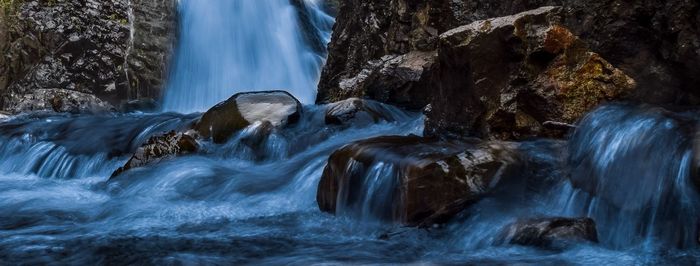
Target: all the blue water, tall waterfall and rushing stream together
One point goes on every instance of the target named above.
(627, 167)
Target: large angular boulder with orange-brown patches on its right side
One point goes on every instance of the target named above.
(514, 74)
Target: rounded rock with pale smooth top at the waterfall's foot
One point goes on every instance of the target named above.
(241, 110)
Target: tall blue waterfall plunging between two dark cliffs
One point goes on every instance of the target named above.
(230, 46)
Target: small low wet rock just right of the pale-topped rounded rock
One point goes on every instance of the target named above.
(356, 111)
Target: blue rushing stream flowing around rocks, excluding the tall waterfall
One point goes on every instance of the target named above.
(231, 204)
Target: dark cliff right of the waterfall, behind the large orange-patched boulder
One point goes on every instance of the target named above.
(657, 43)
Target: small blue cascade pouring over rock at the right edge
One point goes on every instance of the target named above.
(630, 172)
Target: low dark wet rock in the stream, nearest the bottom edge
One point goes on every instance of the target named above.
(551, 232)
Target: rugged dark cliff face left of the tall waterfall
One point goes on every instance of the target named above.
(115, 50)
